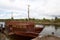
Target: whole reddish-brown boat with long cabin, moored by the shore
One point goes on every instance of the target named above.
(27, 28)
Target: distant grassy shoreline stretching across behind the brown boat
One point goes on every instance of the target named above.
(37, 21)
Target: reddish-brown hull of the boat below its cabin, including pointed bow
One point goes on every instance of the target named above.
(26, 34)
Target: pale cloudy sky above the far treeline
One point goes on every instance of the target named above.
(38, 9)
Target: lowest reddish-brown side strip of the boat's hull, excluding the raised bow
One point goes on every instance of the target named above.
(27, 34)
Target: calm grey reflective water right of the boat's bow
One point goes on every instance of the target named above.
(51, 28)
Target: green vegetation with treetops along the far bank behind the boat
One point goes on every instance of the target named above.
(38, 21)
